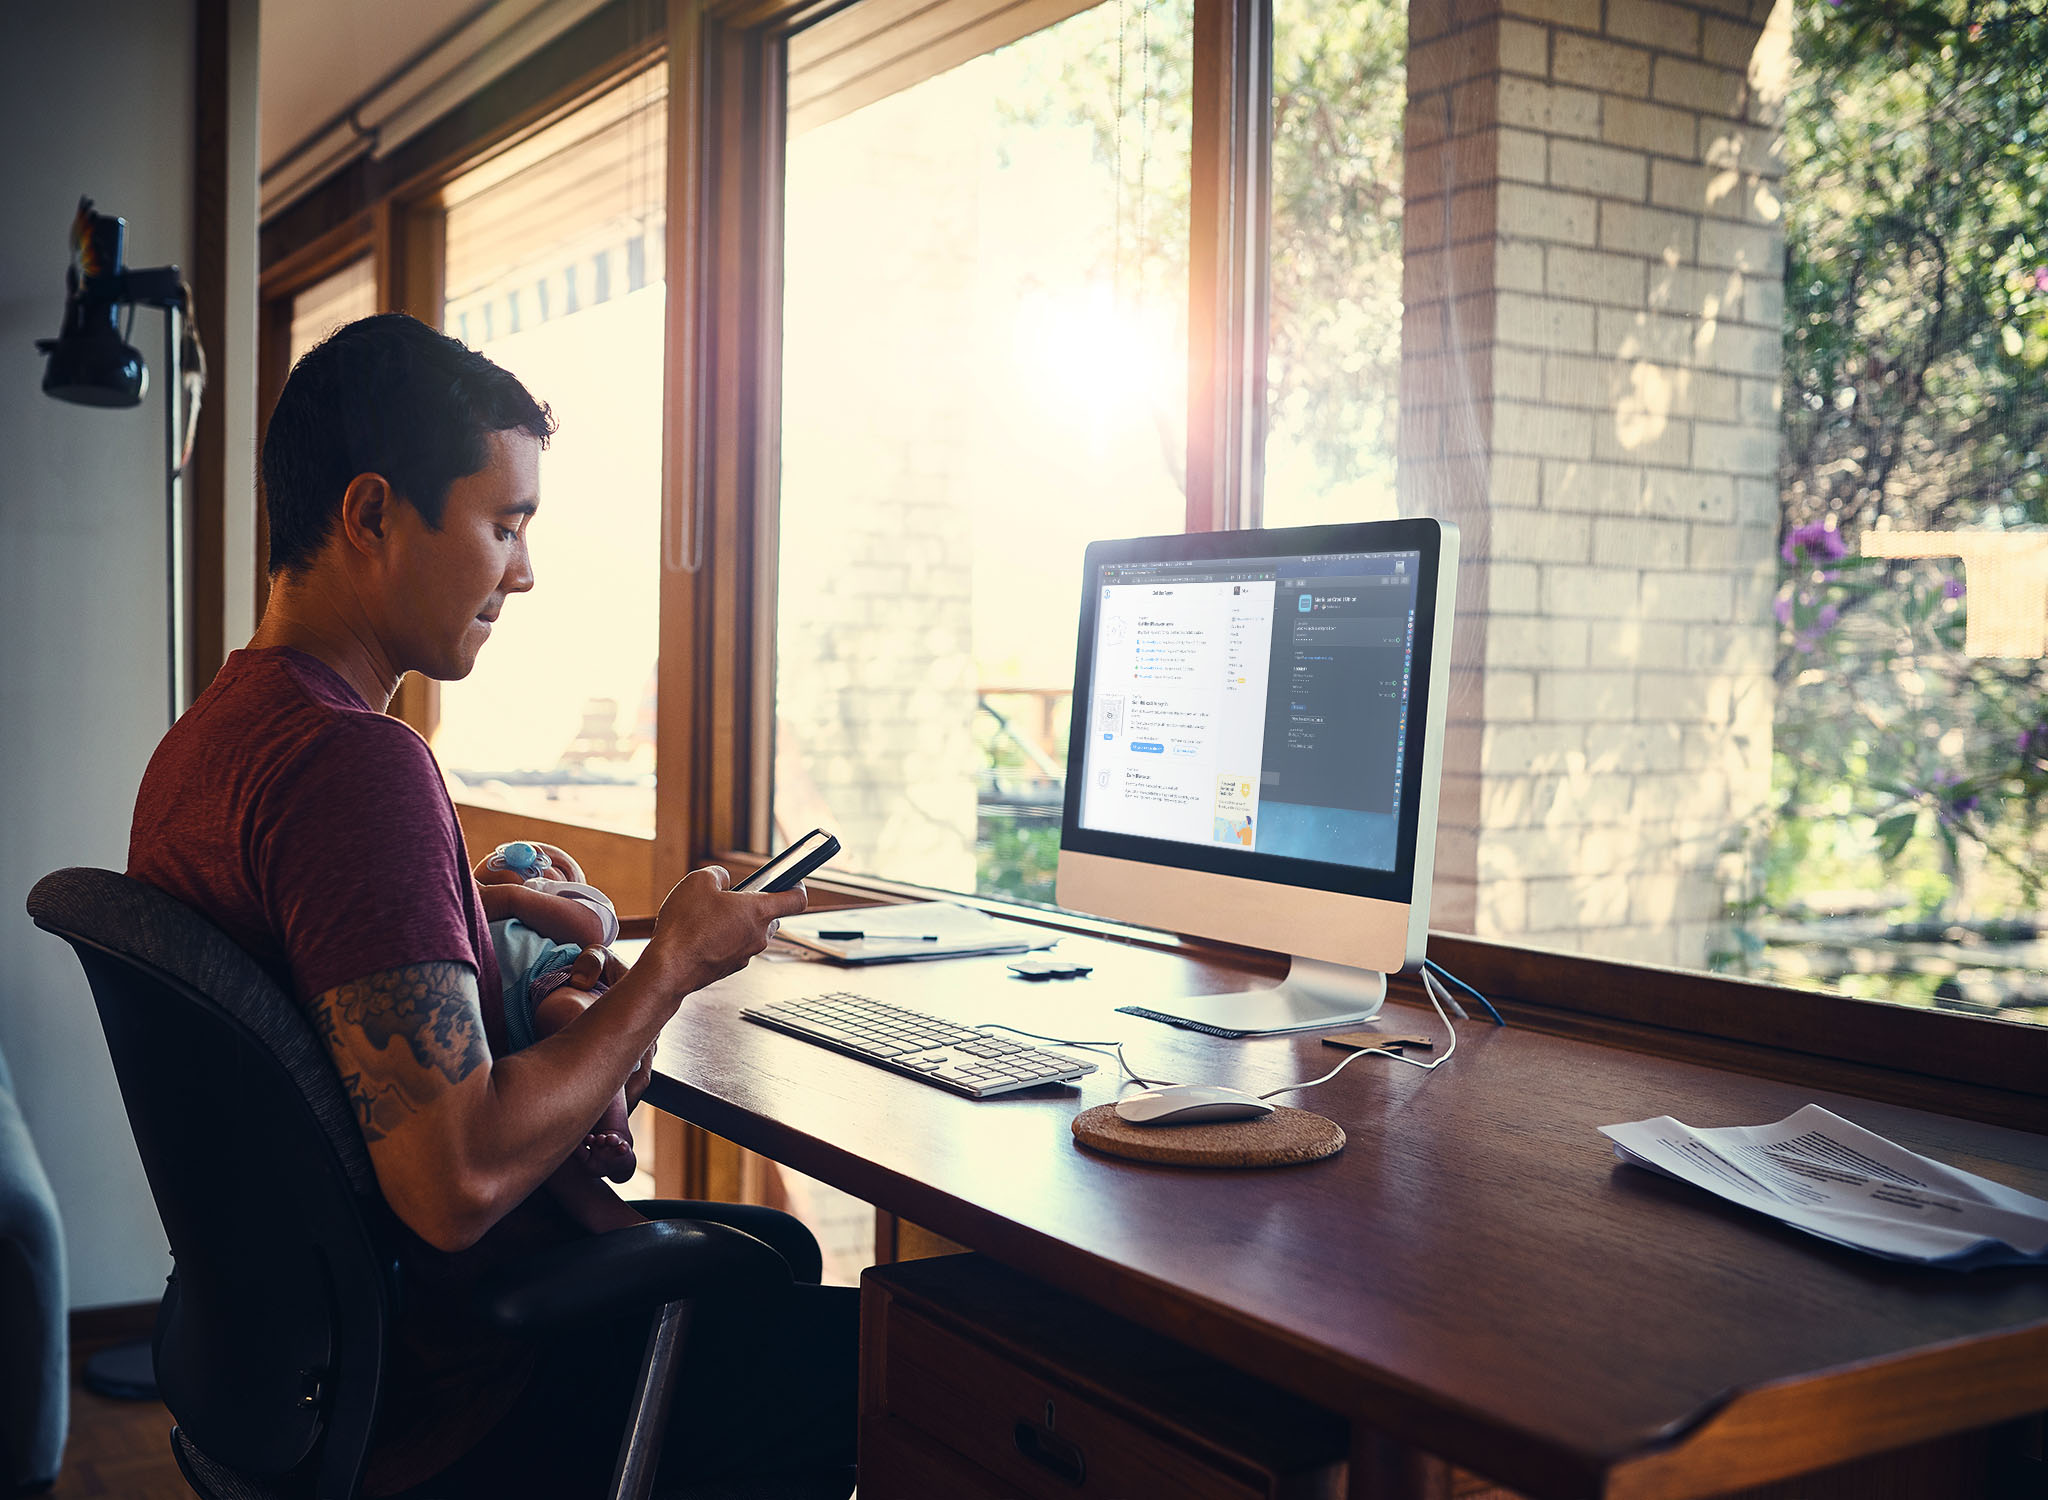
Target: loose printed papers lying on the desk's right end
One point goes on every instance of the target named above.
(1834, 1179)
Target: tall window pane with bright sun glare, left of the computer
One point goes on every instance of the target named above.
(984, 368)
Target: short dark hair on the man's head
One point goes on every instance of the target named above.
(386, 397)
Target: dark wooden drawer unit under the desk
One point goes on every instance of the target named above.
(1039, 1397)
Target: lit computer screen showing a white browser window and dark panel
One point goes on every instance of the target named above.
(1254, 704)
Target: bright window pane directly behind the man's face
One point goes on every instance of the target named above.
(554, 269)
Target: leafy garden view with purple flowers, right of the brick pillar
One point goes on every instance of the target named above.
(1906, 849)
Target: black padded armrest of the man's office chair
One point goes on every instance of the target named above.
(626, 1272)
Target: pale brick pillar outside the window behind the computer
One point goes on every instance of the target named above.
(1590, 388)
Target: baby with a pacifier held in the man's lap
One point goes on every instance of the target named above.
(544, 917)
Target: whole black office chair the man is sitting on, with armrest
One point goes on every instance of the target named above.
(271, 1337)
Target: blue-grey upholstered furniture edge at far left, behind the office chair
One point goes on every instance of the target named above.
(34, 1308)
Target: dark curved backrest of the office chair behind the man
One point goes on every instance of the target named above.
(273, 1331)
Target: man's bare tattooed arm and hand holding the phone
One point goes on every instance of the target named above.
(458, 1136)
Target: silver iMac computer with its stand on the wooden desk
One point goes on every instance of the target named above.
(1258, 735)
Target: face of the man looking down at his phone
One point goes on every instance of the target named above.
(450, 585)
